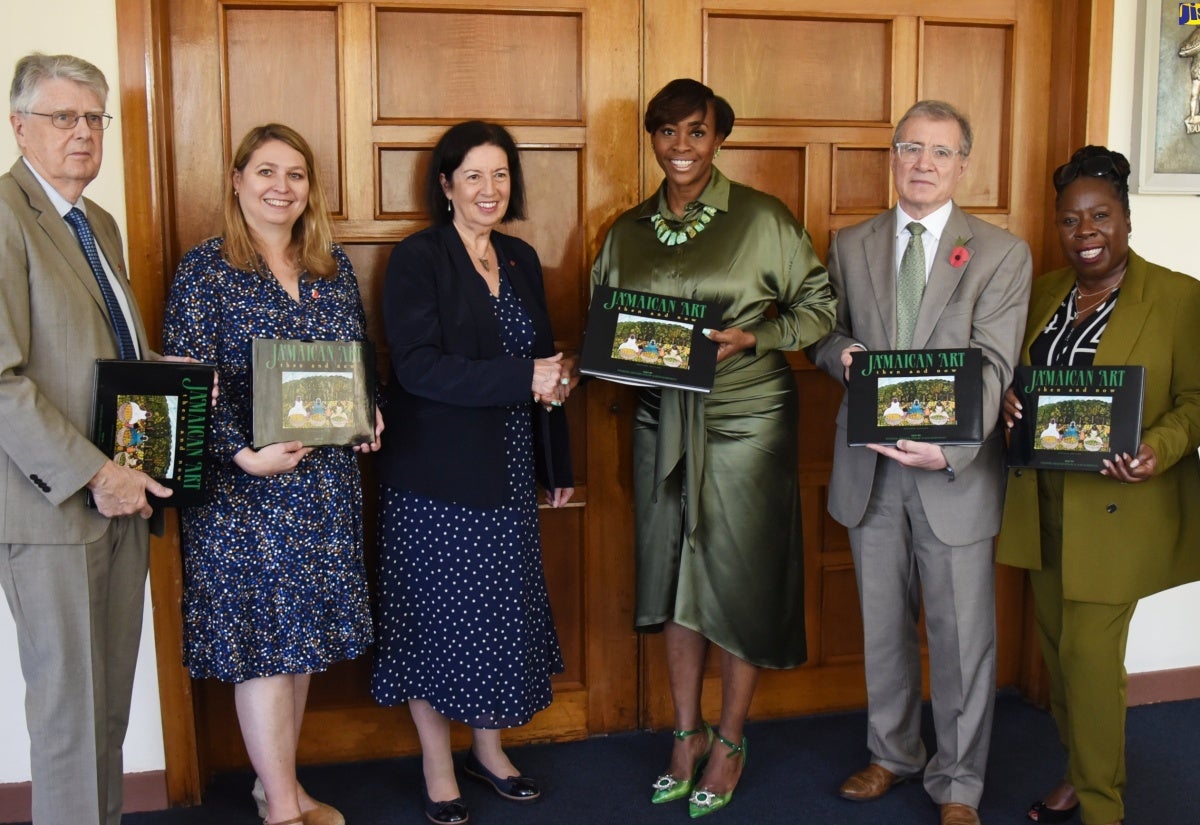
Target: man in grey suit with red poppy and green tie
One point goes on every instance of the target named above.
(922, 517)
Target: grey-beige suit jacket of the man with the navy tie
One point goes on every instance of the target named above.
(53, 327)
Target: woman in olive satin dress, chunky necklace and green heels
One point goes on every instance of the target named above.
(717, 511)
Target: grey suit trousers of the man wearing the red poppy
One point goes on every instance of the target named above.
(898, 564)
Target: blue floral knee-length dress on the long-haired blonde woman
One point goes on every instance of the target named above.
(274, 581)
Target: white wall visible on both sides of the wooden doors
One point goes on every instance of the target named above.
(1163, 630)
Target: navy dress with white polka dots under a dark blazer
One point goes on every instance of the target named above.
(465, 619)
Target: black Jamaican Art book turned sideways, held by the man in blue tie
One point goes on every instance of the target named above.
(155, 417)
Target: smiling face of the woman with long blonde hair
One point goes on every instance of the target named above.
(273, 189)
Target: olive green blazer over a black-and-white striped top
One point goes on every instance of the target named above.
(1126, 541)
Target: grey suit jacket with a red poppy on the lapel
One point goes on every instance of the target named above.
(982, 304)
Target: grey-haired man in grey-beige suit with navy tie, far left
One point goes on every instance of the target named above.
(74, 576)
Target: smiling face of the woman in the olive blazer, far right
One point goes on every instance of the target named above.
(1094, 231)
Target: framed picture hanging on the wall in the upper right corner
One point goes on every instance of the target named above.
(1167, 130)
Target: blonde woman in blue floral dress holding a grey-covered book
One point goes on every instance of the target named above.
(274, 583)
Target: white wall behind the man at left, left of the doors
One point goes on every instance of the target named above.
(88, 29)
